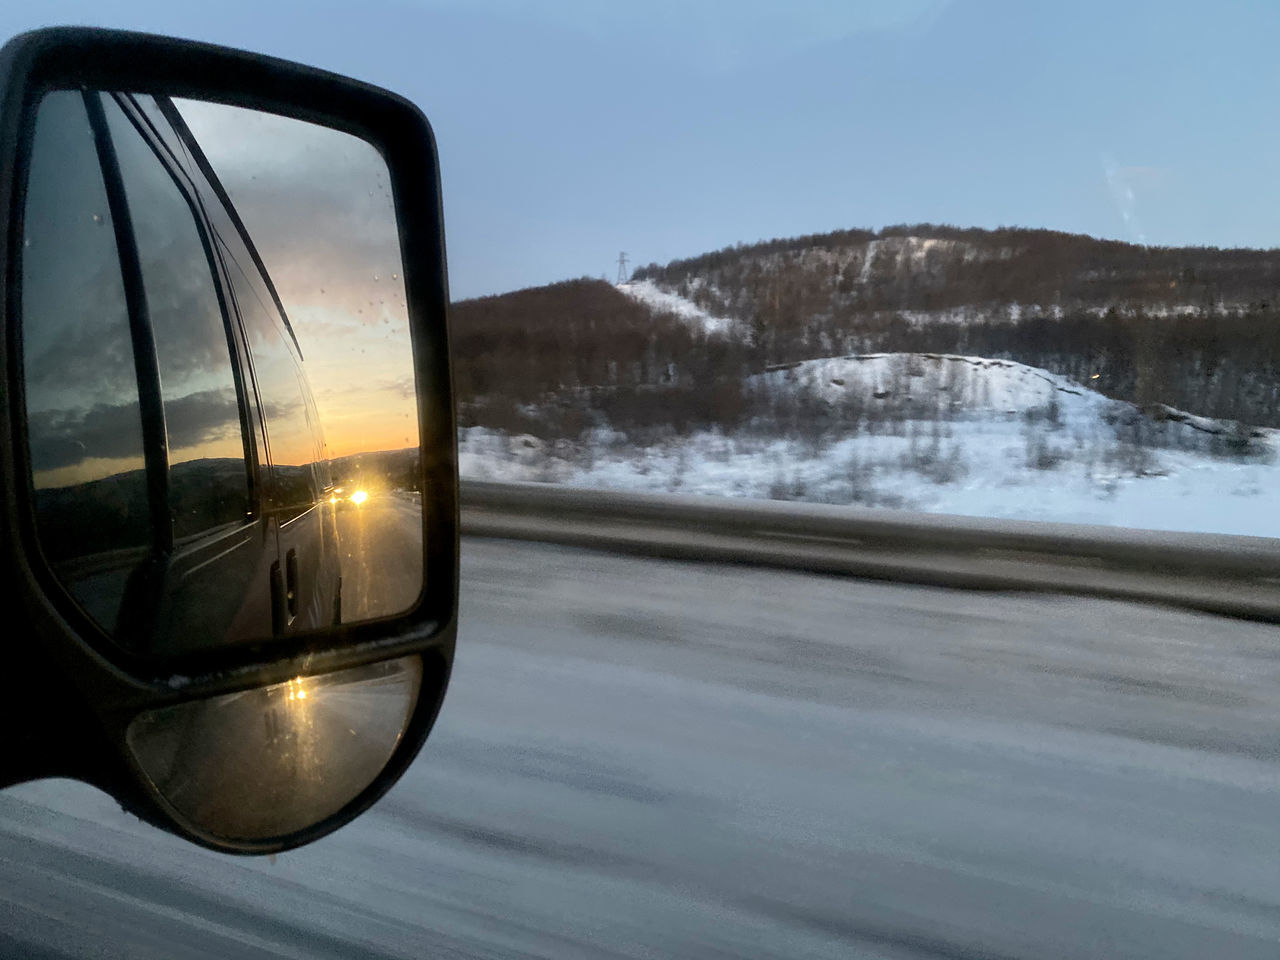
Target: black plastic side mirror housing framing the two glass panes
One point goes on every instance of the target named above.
(70, 693)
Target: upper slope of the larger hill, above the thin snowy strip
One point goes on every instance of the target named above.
(931, 268)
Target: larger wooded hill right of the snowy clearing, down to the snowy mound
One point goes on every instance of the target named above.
(1194, 327)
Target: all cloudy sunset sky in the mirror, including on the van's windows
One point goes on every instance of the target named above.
(319, 208)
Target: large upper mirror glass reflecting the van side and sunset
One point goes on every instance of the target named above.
(221, 403)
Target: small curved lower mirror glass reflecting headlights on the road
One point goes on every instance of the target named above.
(273, 761)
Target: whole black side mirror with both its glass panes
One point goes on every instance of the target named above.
(227, 456)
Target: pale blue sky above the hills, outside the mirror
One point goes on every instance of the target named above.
(666, 129)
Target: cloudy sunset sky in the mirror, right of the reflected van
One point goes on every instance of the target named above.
(318, 204)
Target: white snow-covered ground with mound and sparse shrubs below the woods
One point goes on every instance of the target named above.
(943, 435)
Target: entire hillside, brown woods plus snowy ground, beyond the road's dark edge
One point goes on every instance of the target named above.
(963, 359)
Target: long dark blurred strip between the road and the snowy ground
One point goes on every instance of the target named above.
(1215, 573)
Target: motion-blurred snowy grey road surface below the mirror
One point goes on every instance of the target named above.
(641, 758)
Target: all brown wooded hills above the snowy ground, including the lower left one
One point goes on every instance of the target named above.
(1196, 328)
